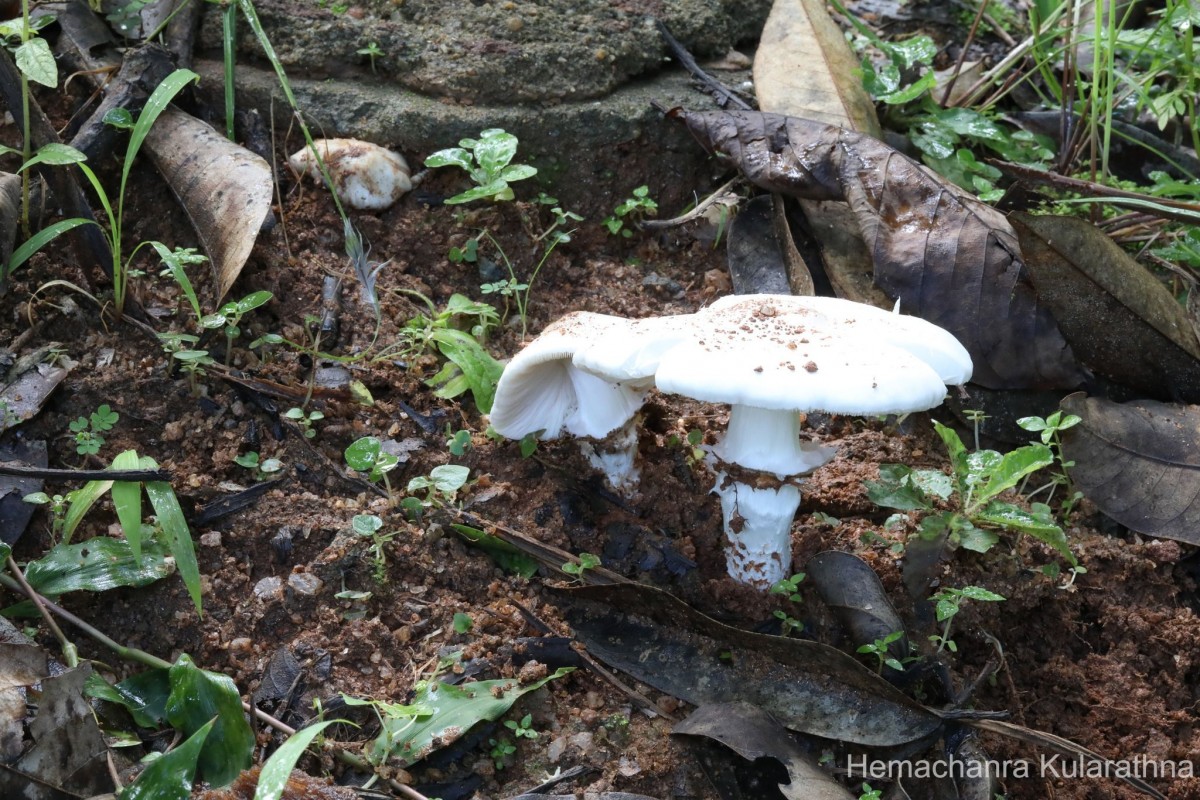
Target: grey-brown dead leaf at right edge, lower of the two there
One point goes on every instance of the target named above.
(1139, 462)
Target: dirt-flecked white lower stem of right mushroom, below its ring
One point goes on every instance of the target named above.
(759, 526)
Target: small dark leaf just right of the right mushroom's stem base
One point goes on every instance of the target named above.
(855, 596)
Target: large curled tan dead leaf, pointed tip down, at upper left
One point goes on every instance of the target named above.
(225, 189)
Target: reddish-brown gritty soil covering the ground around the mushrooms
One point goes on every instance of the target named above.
(1111, 663)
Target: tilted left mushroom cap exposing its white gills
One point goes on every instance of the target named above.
(542, 392)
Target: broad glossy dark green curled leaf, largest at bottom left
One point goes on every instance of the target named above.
(197, 696)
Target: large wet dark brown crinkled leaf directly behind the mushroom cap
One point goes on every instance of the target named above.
(949, 257)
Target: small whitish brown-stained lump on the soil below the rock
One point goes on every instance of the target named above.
(365, 176)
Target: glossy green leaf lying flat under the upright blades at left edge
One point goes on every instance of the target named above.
(97, 566)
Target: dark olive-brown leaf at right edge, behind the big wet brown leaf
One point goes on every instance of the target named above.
(1121, 322)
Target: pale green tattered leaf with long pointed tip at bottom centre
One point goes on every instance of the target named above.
(451, 713)
